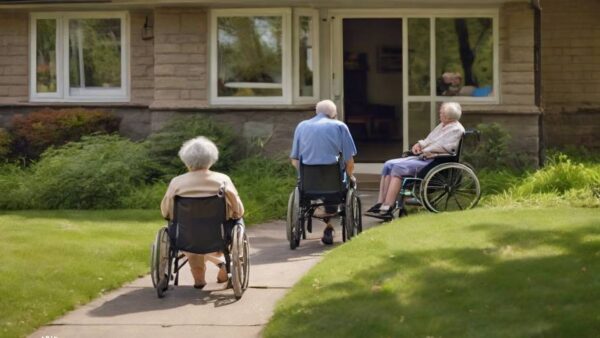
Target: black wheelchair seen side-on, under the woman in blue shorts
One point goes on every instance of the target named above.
(445, 184)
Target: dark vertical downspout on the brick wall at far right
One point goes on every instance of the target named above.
(537, 62)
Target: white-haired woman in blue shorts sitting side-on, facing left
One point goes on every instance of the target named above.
(442, 140)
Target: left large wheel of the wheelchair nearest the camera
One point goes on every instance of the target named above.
(160, 262)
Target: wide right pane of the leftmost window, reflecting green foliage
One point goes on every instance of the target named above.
(94, 54)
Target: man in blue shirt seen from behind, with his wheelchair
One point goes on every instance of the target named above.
(323, 152)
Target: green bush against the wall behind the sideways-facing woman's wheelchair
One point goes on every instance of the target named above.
(491, 151)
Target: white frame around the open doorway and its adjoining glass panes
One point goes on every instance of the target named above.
(336, 61)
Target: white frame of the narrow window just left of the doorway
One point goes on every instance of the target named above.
(314, 15)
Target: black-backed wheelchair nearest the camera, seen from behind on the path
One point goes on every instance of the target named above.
(199, 226)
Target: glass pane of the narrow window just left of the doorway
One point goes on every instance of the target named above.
(305, 58)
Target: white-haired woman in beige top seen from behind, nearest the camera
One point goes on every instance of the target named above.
(198, 155)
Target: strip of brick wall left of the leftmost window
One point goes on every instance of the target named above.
(14, 60)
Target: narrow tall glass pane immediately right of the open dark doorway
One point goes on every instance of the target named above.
(418, 56)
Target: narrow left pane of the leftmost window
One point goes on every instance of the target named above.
(46, 56)
